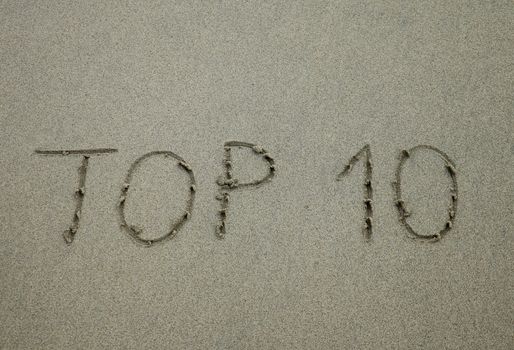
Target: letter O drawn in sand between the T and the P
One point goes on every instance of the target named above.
(135, 232)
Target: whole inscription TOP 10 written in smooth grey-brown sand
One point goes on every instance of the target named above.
(227, 183)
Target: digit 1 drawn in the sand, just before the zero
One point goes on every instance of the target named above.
(368, 187)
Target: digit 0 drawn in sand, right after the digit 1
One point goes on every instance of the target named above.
(400, 203)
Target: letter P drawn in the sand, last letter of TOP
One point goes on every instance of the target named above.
(228, 183)
